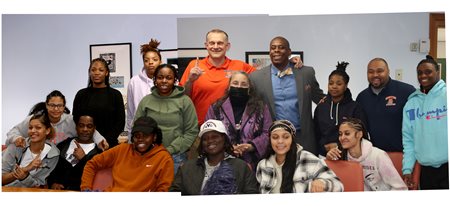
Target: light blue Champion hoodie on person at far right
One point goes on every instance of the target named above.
(425, 128)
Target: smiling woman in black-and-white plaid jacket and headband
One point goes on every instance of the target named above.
(286, 161)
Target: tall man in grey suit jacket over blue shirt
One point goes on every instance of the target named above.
(289, 92)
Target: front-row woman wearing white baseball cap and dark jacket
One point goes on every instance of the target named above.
(216, 171)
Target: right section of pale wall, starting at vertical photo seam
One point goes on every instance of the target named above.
(325, 39)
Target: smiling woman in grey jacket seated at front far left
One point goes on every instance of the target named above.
(30, 166)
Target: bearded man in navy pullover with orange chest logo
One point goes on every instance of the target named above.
(383, 103)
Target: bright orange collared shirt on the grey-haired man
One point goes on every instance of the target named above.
(212, 84)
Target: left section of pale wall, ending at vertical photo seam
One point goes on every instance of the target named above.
(46, 52)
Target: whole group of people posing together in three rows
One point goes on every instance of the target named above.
(255, 128)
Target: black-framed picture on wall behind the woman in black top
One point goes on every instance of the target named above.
(118, 57)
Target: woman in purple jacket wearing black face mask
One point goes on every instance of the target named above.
(245, 116)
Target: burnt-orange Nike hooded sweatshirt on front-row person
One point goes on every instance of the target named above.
(132, 171)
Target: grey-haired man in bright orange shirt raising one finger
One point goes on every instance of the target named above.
(206, 80)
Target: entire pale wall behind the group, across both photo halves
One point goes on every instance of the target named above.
(46, 52)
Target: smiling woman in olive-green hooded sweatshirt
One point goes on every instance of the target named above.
(175, 112)
